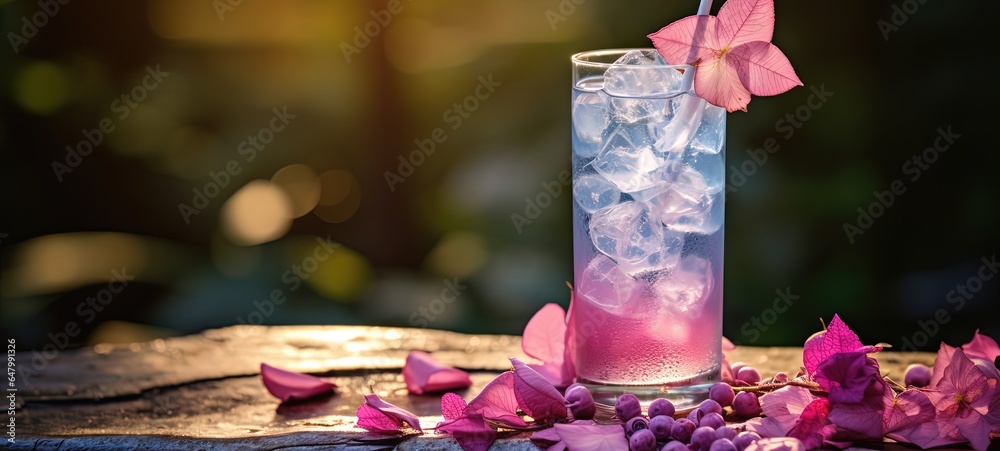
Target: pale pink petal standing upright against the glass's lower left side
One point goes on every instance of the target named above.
(544, 339)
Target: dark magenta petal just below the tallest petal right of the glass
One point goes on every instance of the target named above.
(846, 376)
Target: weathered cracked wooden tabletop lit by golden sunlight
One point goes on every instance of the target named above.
(204, 391)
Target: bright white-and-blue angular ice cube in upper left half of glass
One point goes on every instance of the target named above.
(627, 160)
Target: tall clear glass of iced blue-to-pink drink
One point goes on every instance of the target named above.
(648, 212)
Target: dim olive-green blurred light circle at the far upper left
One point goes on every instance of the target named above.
(41, 87)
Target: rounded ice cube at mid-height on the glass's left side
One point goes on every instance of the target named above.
(626, 232)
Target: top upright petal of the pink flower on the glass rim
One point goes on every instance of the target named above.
(742, 21)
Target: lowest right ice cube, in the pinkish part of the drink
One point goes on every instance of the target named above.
(684, 291)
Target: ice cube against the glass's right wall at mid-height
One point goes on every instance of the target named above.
(688, 205)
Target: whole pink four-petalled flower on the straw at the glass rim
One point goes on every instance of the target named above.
(732, 52)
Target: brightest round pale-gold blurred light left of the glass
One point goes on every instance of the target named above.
(259, 212)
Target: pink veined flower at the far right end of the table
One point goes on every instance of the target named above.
(964, 396)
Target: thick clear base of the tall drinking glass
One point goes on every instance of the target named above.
(683, 394)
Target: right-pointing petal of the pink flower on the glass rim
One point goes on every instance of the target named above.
(763, 69)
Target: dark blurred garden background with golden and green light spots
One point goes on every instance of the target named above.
(360, 103)
